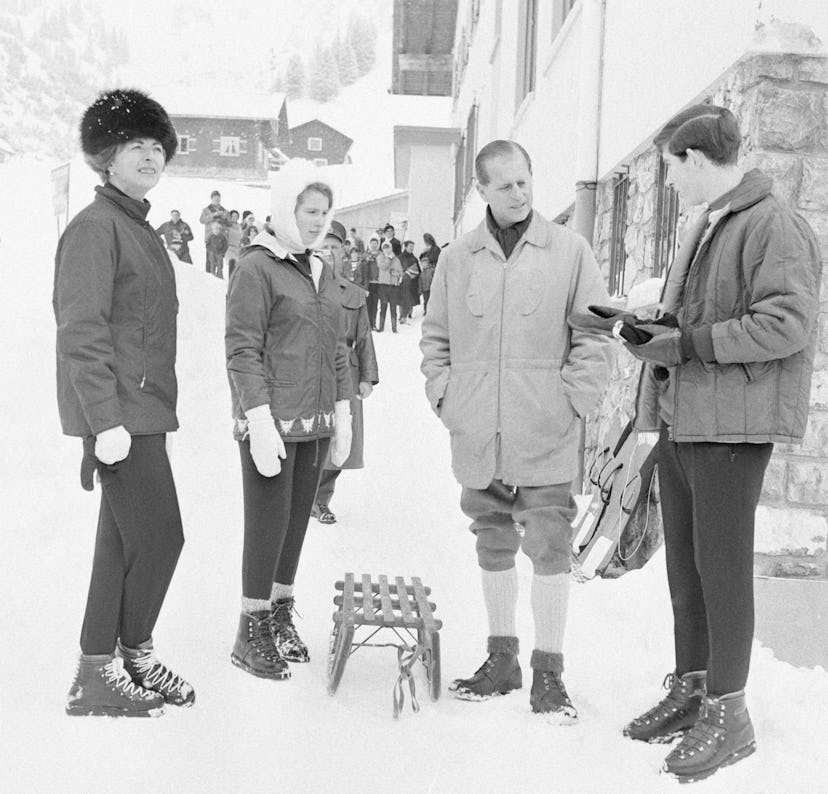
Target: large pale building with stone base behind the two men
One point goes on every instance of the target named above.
(583, 85)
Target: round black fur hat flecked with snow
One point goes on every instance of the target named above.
(123, 114)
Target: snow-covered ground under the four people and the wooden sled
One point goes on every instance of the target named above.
(398, 516)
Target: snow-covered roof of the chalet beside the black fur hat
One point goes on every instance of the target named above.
(220, 102)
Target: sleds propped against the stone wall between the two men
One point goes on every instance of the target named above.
(621, 528)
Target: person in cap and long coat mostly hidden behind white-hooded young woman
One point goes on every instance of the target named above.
(363, 365)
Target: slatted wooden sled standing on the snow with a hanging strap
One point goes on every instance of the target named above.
(402, 608)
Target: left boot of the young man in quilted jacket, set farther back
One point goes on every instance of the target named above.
(675, 714)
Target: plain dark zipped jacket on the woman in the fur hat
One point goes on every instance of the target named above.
(115, 304)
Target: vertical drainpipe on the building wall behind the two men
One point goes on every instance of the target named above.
(593, 16)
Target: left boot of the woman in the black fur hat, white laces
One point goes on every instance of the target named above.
(102, 688)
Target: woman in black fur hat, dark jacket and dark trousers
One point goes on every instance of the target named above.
(115, 305)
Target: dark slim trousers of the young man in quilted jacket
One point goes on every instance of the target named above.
(709, 494)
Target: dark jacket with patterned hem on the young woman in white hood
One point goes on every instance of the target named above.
(284, 342)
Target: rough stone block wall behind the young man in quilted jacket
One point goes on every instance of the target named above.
(782, 103)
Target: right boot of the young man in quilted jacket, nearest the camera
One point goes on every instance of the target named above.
(722, 735)
